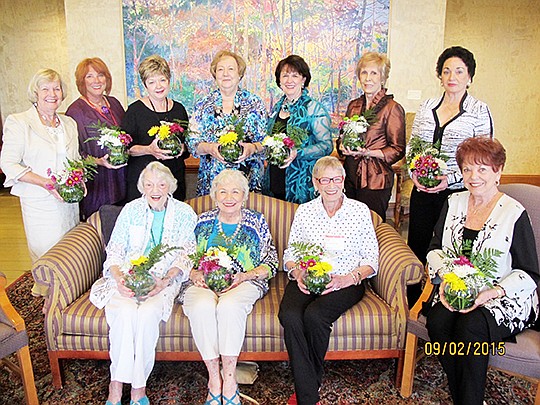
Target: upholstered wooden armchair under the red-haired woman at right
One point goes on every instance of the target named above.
(522, 358)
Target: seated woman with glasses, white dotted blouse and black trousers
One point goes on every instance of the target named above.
(343, 228)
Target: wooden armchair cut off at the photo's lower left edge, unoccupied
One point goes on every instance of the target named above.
(14, 339)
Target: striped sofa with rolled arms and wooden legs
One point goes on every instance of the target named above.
(74, 328)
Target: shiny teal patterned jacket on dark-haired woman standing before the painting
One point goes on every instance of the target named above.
(311, 115)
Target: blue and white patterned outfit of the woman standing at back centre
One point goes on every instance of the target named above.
(209, 119)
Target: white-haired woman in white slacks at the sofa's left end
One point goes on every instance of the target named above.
(155, 219)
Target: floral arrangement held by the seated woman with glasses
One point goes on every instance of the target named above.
(312, 259)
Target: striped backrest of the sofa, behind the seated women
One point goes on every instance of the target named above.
(279, 215)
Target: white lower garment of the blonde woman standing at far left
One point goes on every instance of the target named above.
(46, 221)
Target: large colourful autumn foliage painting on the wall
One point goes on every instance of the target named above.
(330, 35)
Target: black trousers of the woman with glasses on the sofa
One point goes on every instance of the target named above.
(307, 321)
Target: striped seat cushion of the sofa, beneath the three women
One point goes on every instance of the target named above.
(369, 325)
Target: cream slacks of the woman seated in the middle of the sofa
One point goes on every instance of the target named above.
(218, 322)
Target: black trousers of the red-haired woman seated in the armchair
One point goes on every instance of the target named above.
(466, 373)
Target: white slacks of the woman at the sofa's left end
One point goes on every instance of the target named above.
(133, 335)
